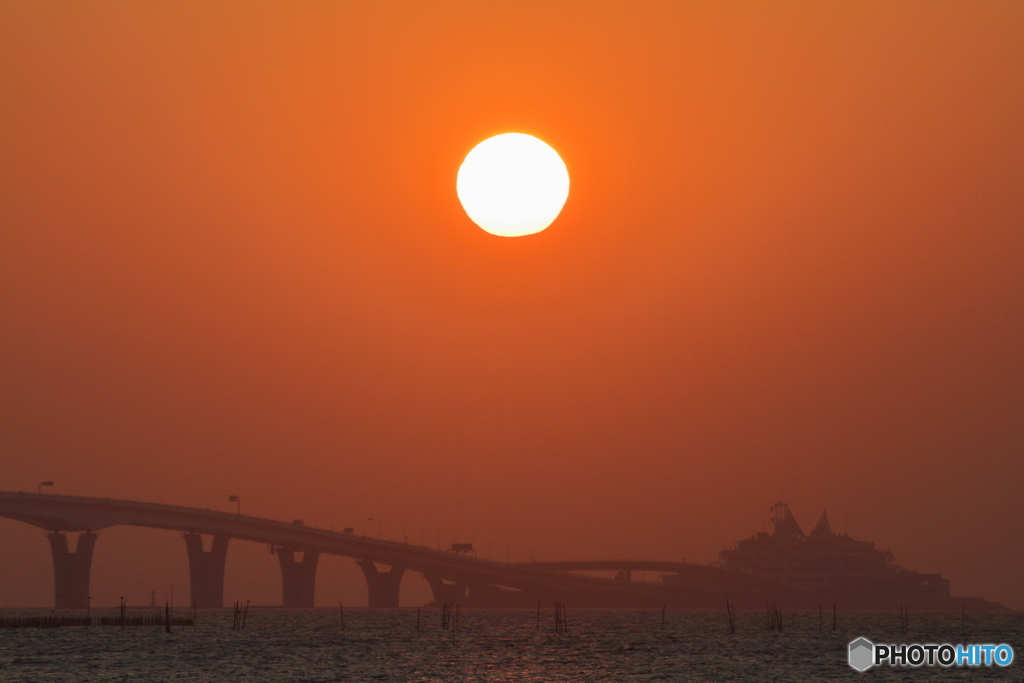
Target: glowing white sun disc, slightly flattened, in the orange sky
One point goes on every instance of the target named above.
(514, 185)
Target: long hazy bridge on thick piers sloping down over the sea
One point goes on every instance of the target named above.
(453, 577)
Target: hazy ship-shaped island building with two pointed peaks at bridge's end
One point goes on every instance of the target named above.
(809, 571)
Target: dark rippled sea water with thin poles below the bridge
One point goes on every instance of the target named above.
(496, 646)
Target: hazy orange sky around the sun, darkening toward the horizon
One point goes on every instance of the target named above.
(233, 262)
